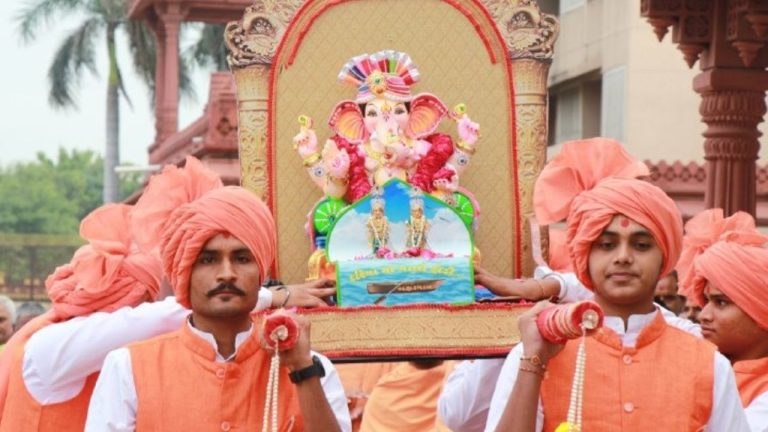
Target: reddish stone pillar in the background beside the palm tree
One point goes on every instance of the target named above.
(170, 16)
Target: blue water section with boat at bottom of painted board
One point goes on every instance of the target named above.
(389, 282)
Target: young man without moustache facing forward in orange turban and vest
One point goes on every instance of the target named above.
(624, 235)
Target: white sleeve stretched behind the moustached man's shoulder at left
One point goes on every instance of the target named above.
(59, 357)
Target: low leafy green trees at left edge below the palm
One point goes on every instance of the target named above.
(47, 196)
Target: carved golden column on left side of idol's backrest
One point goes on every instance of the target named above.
(252, 43)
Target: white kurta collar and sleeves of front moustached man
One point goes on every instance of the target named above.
(114, 402)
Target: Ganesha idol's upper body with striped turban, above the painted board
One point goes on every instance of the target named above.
(386, 133)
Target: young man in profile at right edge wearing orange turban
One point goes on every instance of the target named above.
(730, 278)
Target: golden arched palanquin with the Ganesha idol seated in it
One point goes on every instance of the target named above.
(355, 128)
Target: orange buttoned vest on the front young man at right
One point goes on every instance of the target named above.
(663, 384)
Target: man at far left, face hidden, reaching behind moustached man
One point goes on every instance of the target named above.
(101, 301)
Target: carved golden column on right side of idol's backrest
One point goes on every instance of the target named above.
(530, 36)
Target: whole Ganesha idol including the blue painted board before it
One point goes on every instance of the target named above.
(394, 226)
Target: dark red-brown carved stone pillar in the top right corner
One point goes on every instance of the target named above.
(728, 39)
